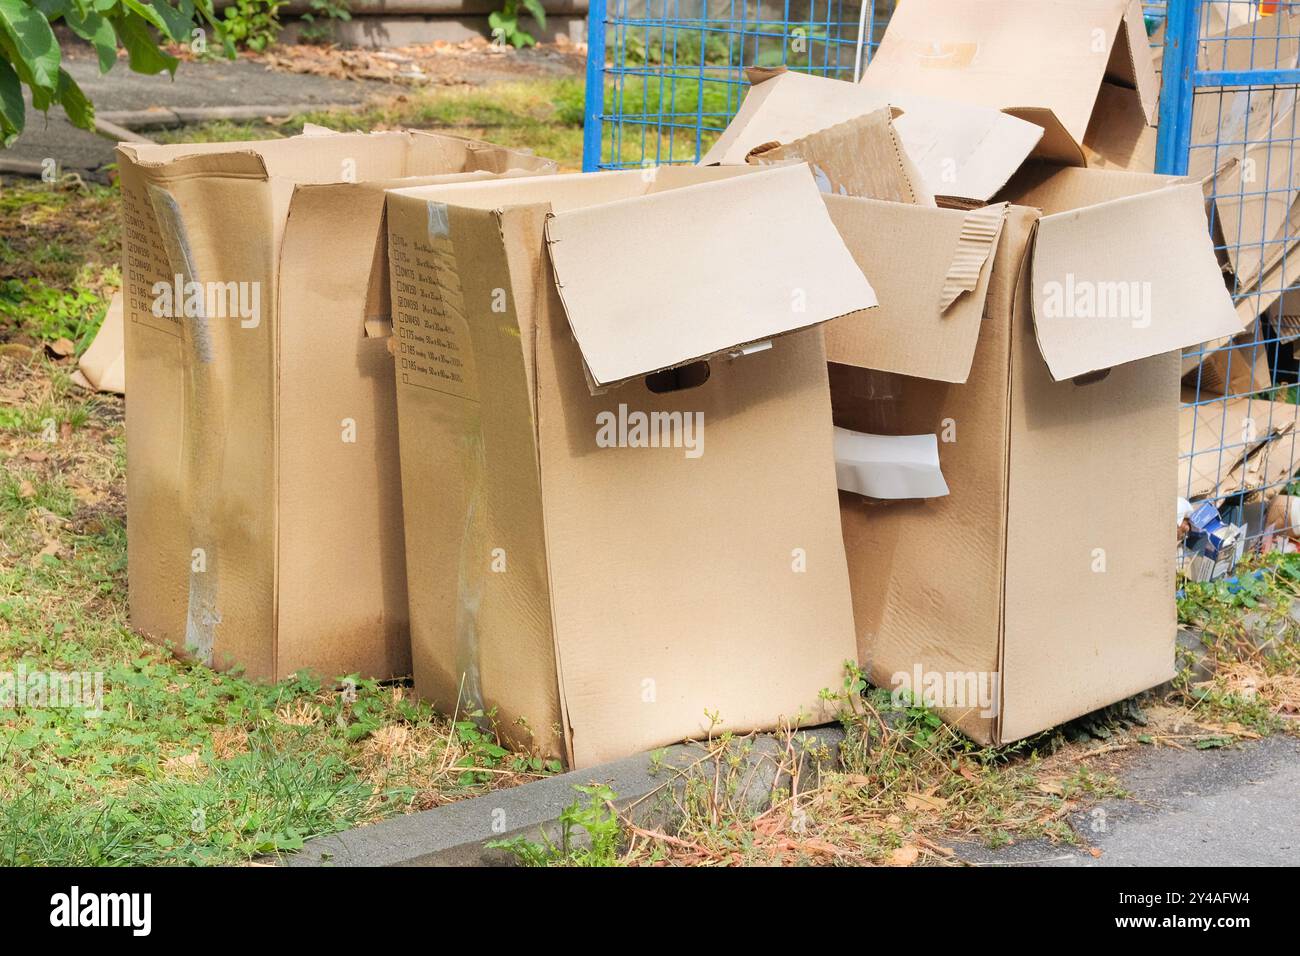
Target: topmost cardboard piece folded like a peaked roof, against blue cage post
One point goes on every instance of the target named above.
(1043, 62)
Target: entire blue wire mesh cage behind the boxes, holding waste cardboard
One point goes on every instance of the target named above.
(666, 76)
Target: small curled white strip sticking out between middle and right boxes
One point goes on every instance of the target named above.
(889, 466)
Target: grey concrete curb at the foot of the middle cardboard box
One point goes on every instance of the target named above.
(454, 836)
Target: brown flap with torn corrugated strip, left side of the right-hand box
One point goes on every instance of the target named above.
(931, 271)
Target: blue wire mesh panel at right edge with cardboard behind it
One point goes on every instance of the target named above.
(1236, 126)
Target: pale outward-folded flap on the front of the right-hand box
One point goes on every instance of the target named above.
(1126, 279)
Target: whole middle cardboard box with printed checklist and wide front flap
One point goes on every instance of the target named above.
(599, 595)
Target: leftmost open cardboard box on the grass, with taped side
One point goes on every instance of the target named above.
(265, 511)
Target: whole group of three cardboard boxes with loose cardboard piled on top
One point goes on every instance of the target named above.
(590, 429)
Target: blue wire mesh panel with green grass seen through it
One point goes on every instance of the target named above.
(666, 76)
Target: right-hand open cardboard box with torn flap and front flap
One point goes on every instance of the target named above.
(1042, 586)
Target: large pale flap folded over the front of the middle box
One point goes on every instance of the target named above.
(643, 295)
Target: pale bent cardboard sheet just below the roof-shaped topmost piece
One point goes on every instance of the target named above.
(961, 152)
